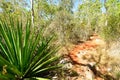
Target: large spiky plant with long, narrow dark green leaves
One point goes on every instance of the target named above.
(24, 53)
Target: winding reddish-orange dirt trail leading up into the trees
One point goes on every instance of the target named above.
(87, 60)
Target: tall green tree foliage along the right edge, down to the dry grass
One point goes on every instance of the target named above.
(111, 22)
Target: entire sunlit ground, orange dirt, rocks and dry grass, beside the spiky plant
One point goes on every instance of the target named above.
(90, 63)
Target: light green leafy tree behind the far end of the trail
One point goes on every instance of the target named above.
(86, 19)
